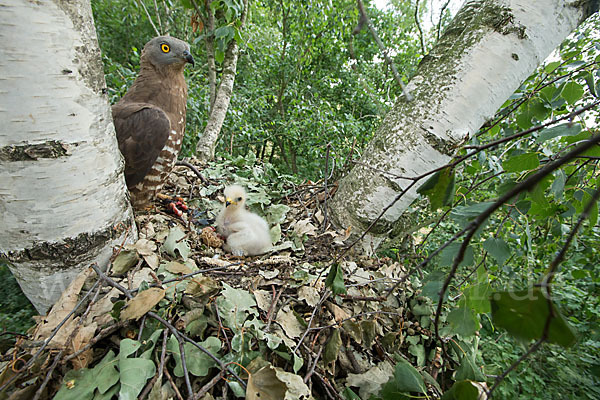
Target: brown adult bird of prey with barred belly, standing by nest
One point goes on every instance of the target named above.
(150, 118)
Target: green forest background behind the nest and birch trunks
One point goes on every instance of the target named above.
(309, 88)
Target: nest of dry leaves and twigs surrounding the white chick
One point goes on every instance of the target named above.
(295, 323)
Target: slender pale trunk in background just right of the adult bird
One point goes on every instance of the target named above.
(205, 148)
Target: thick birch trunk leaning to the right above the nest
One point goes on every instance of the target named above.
(488, 50)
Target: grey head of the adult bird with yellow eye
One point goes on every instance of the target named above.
(167, 51)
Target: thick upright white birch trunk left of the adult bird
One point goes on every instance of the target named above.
(63, 198)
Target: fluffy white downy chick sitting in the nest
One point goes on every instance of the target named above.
(246, 233)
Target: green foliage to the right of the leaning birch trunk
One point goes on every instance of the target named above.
(514, 247)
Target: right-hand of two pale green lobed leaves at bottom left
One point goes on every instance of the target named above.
(134, 372)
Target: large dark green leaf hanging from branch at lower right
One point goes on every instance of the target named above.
(524, 313)
